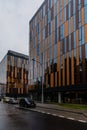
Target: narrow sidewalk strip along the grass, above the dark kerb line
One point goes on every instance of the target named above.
(60, 108)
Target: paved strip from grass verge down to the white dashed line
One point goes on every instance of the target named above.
(59, 111)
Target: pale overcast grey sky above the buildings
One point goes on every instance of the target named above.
(14, 24)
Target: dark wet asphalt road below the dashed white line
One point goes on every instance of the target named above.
(12, 118)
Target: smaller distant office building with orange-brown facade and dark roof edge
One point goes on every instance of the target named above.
(14, 74)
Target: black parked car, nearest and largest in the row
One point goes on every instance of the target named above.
(27, 102)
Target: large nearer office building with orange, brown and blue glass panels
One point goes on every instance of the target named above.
(58, 51)
